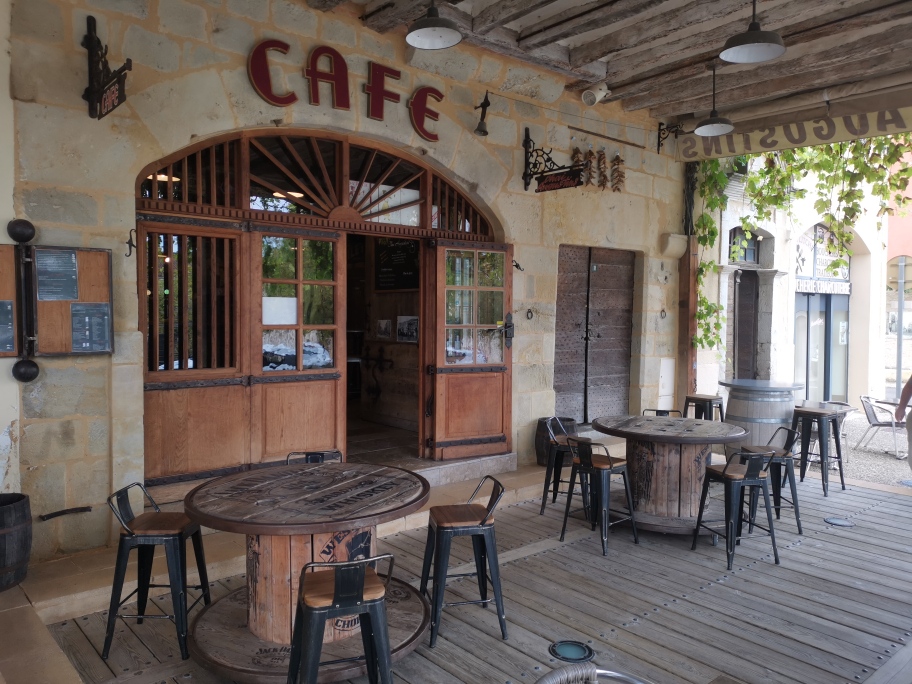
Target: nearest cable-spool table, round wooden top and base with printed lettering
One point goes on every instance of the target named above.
(293, 515)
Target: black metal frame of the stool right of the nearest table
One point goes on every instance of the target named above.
(484, 545)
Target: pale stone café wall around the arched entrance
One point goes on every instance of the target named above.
(81, 422)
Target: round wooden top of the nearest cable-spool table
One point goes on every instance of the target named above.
(307, 498)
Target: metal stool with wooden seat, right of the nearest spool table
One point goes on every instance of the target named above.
(468, 519)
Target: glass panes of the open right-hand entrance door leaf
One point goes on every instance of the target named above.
(474, 307)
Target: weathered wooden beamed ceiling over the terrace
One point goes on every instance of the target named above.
(842, 57)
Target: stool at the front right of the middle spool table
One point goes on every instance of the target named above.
(741, 472)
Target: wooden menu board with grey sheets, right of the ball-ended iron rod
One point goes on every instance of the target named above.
(71, 301)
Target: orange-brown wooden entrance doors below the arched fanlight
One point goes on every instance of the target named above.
(245, 344)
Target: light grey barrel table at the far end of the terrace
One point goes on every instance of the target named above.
(760, 406)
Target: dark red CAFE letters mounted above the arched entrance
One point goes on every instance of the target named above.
(336, 75)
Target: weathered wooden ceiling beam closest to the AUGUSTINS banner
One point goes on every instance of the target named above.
(863, 65)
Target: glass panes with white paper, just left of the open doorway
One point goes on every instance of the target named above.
(299, 304)
